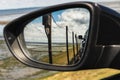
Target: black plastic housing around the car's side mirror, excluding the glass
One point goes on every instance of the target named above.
(102, 48)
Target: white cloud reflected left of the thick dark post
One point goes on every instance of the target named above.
(35, 33)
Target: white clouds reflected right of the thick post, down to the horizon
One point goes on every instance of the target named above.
(77, 20)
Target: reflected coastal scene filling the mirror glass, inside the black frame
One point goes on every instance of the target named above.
(58, 37)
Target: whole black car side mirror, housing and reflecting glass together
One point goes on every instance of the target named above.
(71, 36)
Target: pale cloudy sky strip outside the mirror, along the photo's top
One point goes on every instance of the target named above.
(13, 4)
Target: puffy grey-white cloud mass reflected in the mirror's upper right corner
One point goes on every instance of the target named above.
(77, 20)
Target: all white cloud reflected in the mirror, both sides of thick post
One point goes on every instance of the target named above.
(77, 20)
